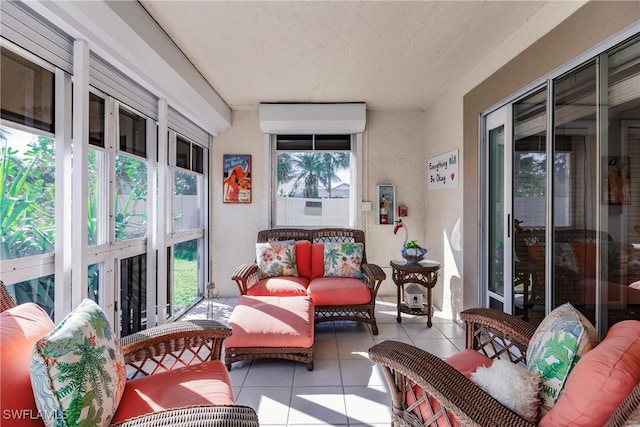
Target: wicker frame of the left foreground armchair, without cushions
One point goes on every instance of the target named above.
(172, 346)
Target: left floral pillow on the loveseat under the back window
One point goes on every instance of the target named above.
(276, 258)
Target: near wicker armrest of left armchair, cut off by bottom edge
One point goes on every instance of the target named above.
(212, 416)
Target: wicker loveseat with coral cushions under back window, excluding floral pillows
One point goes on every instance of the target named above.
(334, 298)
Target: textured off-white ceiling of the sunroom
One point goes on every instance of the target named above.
(392, 55)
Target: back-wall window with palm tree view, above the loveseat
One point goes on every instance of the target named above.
(313, 180)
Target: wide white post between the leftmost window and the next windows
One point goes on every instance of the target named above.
(79, 280)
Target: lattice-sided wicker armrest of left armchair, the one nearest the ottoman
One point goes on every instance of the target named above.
(174, 344)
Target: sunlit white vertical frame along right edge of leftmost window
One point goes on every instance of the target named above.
(63, 203)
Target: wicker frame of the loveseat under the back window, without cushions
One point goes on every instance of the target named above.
(246, 275)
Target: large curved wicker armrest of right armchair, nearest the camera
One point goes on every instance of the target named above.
(406, 366)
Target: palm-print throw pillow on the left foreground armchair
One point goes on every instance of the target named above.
(78, 371)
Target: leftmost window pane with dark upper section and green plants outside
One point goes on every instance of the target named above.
(27, 180)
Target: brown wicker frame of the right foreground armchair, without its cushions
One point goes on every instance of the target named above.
(496, 335)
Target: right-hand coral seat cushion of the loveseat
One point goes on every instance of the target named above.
(338, 291)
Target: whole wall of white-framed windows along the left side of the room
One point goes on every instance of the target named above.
(127, 188)
